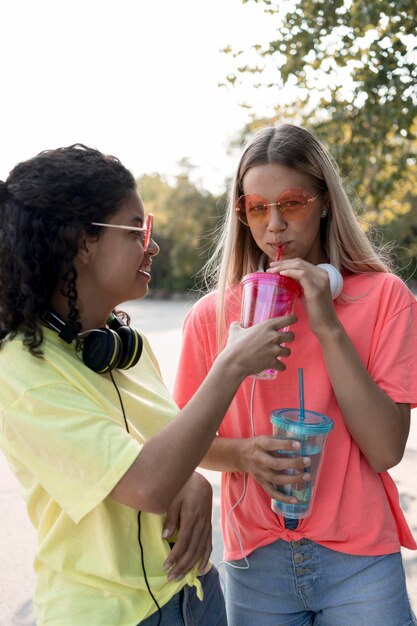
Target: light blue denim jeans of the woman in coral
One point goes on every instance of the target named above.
(301, 583)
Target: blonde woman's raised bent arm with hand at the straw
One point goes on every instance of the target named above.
(378, 425)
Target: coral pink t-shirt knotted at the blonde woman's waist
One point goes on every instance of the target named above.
(355, 510)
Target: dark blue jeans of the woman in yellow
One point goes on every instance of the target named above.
(185, 609)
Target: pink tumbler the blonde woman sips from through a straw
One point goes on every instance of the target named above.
(265, 296)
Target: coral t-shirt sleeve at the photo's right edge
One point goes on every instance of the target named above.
(393, 357)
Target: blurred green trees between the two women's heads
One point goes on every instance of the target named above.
(185, 218)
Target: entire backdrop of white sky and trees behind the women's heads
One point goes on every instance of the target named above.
(174, 88)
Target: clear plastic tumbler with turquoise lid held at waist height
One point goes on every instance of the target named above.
(312, 433)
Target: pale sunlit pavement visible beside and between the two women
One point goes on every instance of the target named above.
(17, 538)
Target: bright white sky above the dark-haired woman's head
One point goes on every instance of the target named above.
(134, 78)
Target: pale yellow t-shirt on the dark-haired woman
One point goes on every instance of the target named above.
(63, 434)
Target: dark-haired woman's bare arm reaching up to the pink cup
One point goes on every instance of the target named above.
(168, 459)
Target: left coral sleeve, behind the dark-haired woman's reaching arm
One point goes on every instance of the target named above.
(194, 362)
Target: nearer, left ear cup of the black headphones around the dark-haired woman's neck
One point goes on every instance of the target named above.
(102, 350)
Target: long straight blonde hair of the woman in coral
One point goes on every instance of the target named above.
(345, 244)
